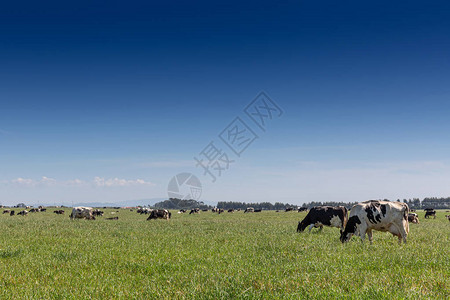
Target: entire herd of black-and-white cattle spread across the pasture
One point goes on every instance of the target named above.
(393, 217)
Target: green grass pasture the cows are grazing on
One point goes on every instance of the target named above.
(259, 255)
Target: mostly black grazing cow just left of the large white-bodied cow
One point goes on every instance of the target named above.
(318, 216)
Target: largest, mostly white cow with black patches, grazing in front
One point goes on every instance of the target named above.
(377, 215)
